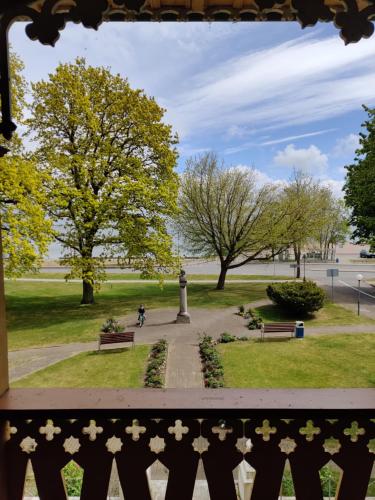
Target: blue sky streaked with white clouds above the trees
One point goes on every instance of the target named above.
(264, 95)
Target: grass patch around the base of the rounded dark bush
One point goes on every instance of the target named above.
(331, 315)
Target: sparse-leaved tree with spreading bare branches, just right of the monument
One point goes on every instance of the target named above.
(223, 213)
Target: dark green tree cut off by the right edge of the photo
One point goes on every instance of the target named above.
(360, 183)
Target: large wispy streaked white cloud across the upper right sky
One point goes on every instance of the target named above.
(298, 82)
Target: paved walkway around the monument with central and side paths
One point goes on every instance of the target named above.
(183, 357)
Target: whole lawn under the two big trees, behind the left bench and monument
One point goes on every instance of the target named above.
(40, 314)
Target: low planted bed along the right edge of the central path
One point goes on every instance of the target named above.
(213, 370)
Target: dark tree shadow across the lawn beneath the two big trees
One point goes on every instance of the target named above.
(46, 305)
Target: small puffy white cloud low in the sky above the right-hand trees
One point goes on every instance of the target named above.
(310, 160)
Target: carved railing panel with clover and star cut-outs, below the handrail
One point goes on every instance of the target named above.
(265, 441)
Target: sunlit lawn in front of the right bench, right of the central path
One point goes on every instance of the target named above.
(320, 362)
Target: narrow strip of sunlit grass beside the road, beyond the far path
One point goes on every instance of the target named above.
(137, 276)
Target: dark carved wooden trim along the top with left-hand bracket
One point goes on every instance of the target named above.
(48, 18)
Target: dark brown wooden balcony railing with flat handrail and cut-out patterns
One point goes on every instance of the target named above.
(135, 428)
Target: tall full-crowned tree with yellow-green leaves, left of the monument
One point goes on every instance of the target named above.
(110, 159)
